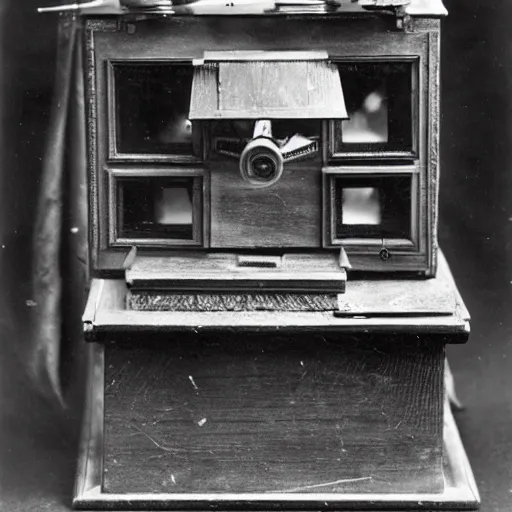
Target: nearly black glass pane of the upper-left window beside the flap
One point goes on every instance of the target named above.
(152, 103)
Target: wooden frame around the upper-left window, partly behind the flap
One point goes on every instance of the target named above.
(114, 154)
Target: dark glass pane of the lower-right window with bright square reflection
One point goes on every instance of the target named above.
(373, 207)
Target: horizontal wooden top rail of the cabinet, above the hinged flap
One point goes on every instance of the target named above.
(339, 37)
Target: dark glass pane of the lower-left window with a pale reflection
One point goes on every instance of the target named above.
(156, 208)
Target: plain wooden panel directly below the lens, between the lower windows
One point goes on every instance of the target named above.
(288, 214)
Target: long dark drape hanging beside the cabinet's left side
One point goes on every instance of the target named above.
(59, 245)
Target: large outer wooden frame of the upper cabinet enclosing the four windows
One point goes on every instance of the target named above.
(112, 40)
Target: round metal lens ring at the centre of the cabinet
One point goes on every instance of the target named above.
(261, 163)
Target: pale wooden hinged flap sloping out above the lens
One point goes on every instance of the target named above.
(266, 85)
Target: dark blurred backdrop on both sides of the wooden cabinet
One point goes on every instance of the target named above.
(38, 441)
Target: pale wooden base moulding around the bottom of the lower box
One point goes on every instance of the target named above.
(459, 487)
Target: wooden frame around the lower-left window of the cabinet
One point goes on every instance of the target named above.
(200, 206)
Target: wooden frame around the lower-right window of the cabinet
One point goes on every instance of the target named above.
(369, 244)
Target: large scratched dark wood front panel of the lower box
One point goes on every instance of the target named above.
(267, 414)
